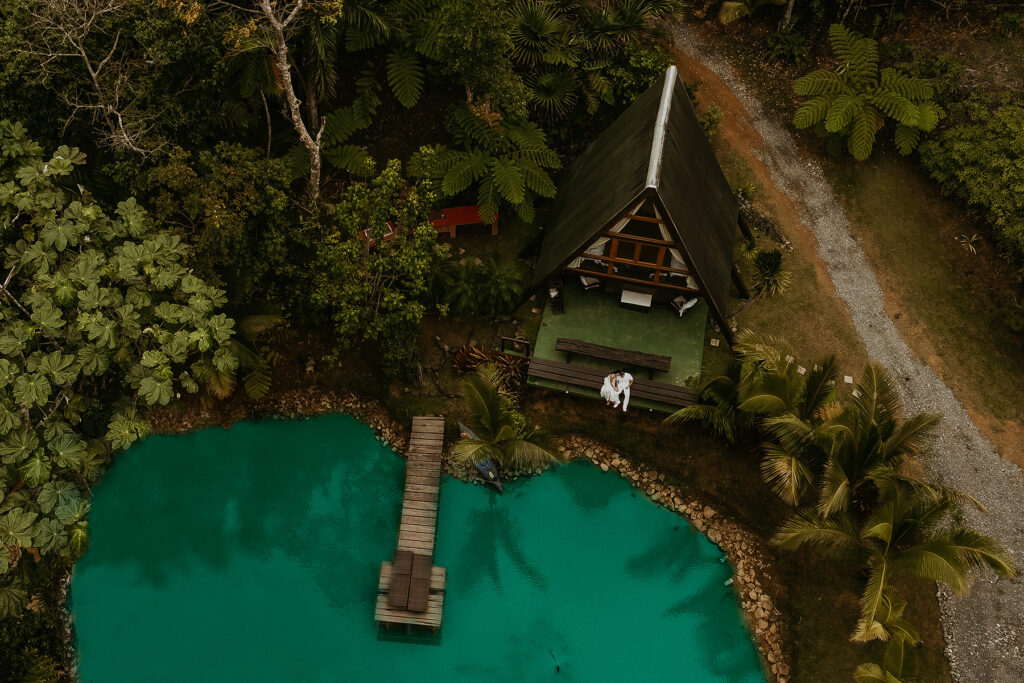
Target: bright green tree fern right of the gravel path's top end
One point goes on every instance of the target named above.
(856, 100)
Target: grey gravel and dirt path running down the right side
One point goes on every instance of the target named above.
(985, 631)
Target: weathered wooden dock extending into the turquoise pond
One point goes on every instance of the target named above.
(411, 590)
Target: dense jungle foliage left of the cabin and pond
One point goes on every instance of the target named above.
(271, 163)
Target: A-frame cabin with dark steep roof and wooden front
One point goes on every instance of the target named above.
(648, 211)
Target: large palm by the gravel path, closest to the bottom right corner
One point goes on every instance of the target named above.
(909, 535)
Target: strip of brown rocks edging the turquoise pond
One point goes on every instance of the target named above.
(746, 551)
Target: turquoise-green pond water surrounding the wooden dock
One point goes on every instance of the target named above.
(252, 554)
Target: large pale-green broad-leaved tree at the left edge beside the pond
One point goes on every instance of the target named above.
(99, 318)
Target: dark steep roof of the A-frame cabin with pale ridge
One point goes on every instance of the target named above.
(656, 149)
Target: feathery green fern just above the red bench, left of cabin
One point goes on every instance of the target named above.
(507, 160)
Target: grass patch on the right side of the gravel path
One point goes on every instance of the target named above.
(947, 301)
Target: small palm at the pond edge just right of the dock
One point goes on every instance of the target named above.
(501, 432)
